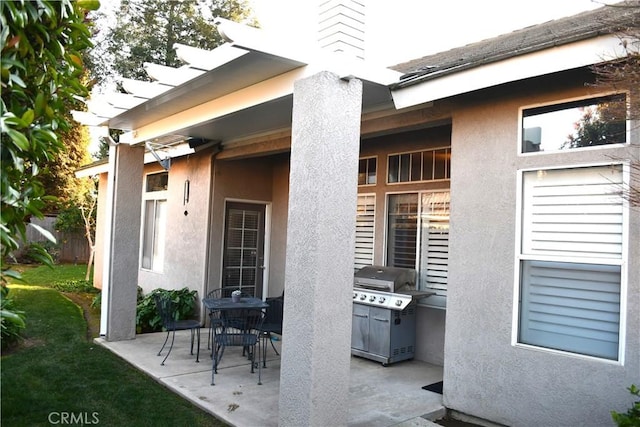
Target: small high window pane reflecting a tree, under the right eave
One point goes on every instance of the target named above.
(578, 124)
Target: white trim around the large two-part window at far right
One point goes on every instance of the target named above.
(623, 262)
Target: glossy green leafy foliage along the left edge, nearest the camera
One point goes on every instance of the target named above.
(42, 69)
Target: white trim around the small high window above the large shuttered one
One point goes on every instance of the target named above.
(519, 152)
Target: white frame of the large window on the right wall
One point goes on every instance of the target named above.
(519, 257)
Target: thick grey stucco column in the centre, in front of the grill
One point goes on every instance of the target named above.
(314, 378)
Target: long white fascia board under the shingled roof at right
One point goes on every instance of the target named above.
(556, 59)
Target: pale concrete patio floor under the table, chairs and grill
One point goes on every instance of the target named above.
(379, 396)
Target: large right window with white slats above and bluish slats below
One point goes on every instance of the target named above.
(571, 259)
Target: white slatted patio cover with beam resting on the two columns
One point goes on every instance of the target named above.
(244, 90)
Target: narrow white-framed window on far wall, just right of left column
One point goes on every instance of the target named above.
(154, 220)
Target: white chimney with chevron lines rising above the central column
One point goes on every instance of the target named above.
(341, 26)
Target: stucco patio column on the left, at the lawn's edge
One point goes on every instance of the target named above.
(124, 242)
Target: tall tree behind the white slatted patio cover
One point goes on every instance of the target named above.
(146, 30)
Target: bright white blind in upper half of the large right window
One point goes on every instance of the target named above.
(575, 212)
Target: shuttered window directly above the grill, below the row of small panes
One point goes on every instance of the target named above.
(418, 237)
